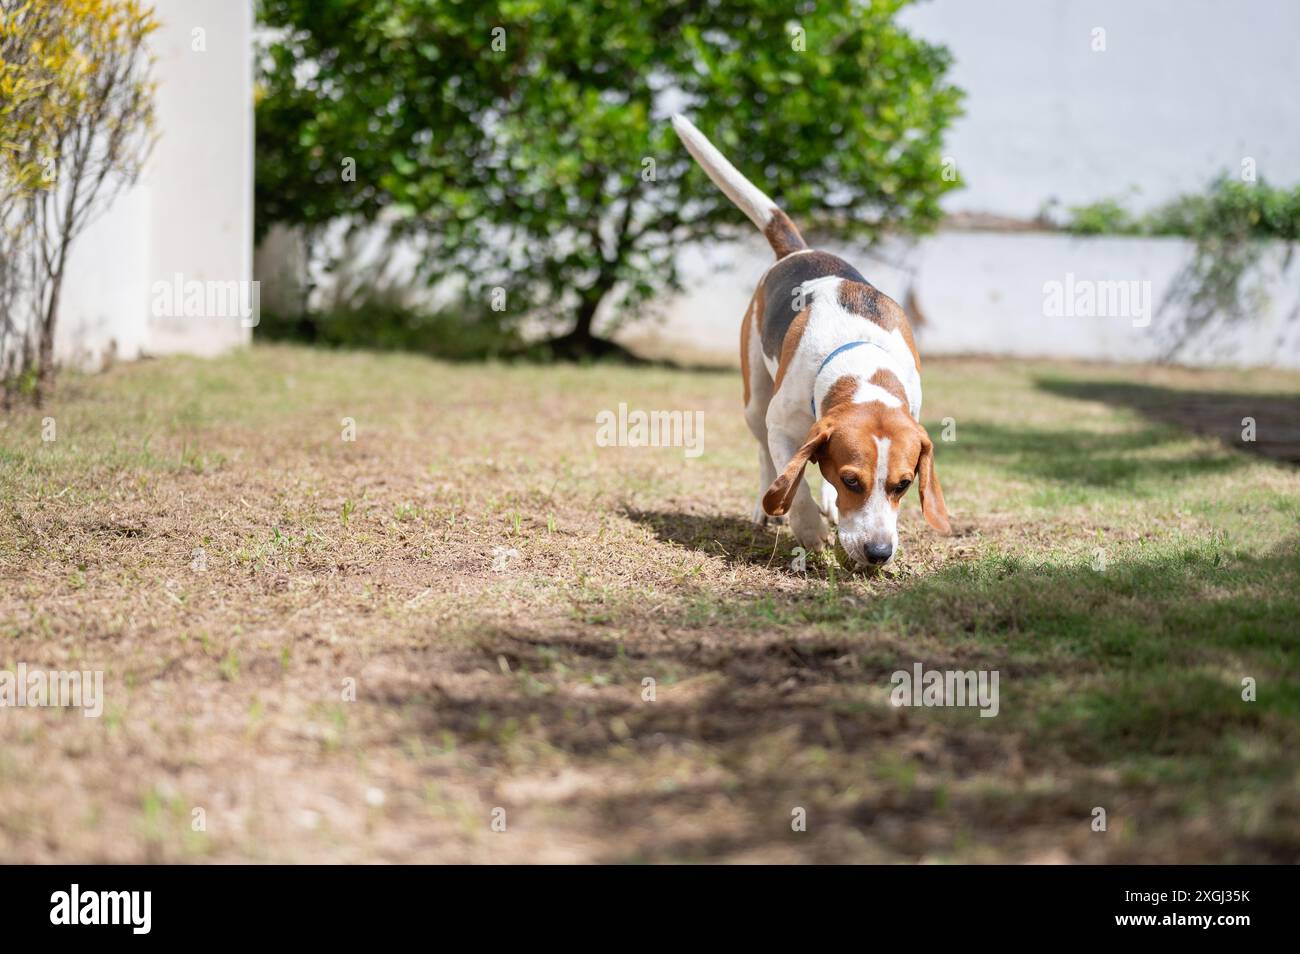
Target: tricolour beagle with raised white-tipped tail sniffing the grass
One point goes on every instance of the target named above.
(831, 376)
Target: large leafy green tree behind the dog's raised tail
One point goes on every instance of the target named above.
(526, 142)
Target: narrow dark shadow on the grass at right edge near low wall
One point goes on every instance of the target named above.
(1217, 414)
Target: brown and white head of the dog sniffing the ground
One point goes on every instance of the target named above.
(872, 456)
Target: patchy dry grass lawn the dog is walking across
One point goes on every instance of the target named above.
(201, 532)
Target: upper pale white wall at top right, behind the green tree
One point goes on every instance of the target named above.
(1184, 90)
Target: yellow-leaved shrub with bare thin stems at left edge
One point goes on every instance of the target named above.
(76, 123)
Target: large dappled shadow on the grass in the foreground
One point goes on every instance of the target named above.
(1119, 688)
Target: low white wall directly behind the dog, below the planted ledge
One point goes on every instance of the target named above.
(983, 293)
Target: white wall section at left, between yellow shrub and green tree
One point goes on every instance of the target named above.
(192, 213)
